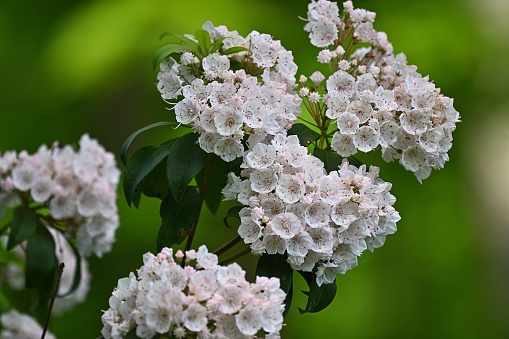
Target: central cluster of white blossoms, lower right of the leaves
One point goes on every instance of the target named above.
(322, 221)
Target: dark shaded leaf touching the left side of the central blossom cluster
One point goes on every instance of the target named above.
(217, 179)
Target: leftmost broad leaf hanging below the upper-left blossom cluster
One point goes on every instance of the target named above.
(141, 164)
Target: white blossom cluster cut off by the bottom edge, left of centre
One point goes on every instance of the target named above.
(201, 300)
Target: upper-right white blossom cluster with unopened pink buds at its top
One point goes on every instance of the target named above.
(375, 98)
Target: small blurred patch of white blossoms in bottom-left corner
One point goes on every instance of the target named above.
(18, 325)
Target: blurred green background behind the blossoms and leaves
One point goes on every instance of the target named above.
(70, 67)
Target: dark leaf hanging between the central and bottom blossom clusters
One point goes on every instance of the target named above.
(275, 265)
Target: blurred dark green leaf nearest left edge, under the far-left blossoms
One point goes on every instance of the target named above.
(24, 223)
